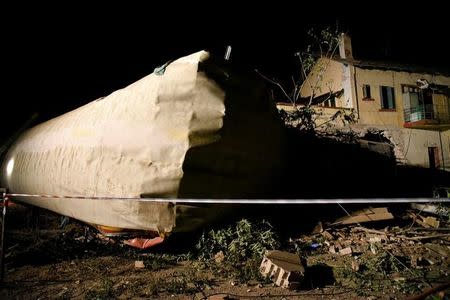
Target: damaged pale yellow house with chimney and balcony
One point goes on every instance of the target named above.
(408, 104)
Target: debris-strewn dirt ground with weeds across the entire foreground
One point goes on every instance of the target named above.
(396, 258)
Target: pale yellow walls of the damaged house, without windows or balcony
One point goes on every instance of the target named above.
(411, 145)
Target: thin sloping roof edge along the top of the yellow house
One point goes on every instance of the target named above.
(394, 66)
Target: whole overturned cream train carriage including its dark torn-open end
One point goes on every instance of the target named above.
(194, 128)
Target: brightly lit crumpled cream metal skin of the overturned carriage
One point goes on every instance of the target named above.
(131, 142)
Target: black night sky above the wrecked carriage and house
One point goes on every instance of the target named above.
(57, 58)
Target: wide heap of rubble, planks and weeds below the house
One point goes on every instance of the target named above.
(403, 255)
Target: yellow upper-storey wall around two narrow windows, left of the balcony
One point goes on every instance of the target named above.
(370, 111)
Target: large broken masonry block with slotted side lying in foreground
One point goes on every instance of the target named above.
(283, 268)
